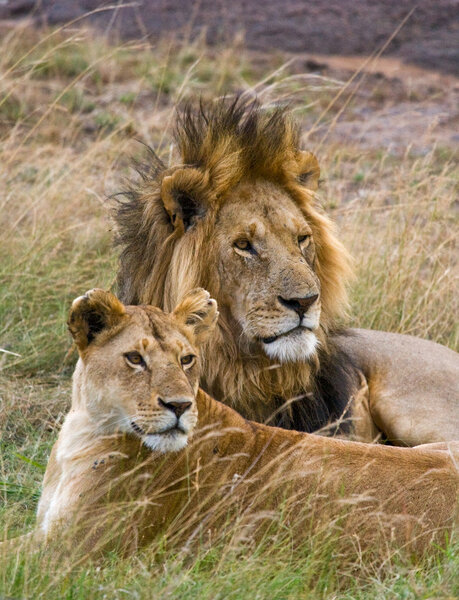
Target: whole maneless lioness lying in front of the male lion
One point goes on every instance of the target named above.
(143, 449)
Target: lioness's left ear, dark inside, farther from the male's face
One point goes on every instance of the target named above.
(92, 313)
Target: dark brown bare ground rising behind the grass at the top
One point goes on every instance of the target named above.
(350, 27)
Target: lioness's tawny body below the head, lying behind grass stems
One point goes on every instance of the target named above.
(407, 494)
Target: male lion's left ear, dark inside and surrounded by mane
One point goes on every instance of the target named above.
(184, 197)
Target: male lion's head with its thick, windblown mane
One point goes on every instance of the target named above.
(238, 215)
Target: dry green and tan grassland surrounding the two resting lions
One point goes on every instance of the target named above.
(72, 106)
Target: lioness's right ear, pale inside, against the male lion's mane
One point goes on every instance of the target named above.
(199, 311)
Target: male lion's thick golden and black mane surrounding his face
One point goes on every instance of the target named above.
(219, 145)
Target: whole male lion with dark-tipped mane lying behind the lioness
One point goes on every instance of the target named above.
(238, 216)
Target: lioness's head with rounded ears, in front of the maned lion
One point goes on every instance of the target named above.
(139, 367)
